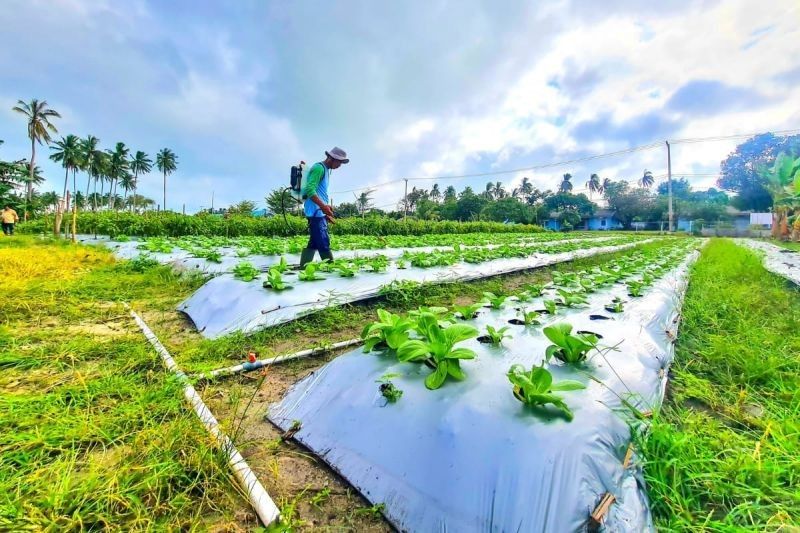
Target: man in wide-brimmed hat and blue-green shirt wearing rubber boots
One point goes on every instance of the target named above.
(316, 206)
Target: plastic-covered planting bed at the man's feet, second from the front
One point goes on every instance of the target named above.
(226, 304)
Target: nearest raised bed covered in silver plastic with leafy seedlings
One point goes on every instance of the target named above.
(523, 433)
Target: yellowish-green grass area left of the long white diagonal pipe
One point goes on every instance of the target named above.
(95, 434)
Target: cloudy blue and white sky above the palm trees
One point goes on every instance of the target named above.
(241, 91)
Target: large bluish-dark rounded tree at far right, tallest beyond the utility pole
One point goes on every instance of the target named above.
(740, 170)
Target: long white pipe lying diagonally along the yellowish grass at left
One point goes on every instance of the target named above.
(262, 503)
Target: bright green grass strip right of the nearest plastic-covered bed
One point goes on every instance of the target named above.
(722, 455)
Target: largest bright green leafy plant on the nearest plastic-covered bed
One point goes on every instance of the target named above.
(438, 351)
